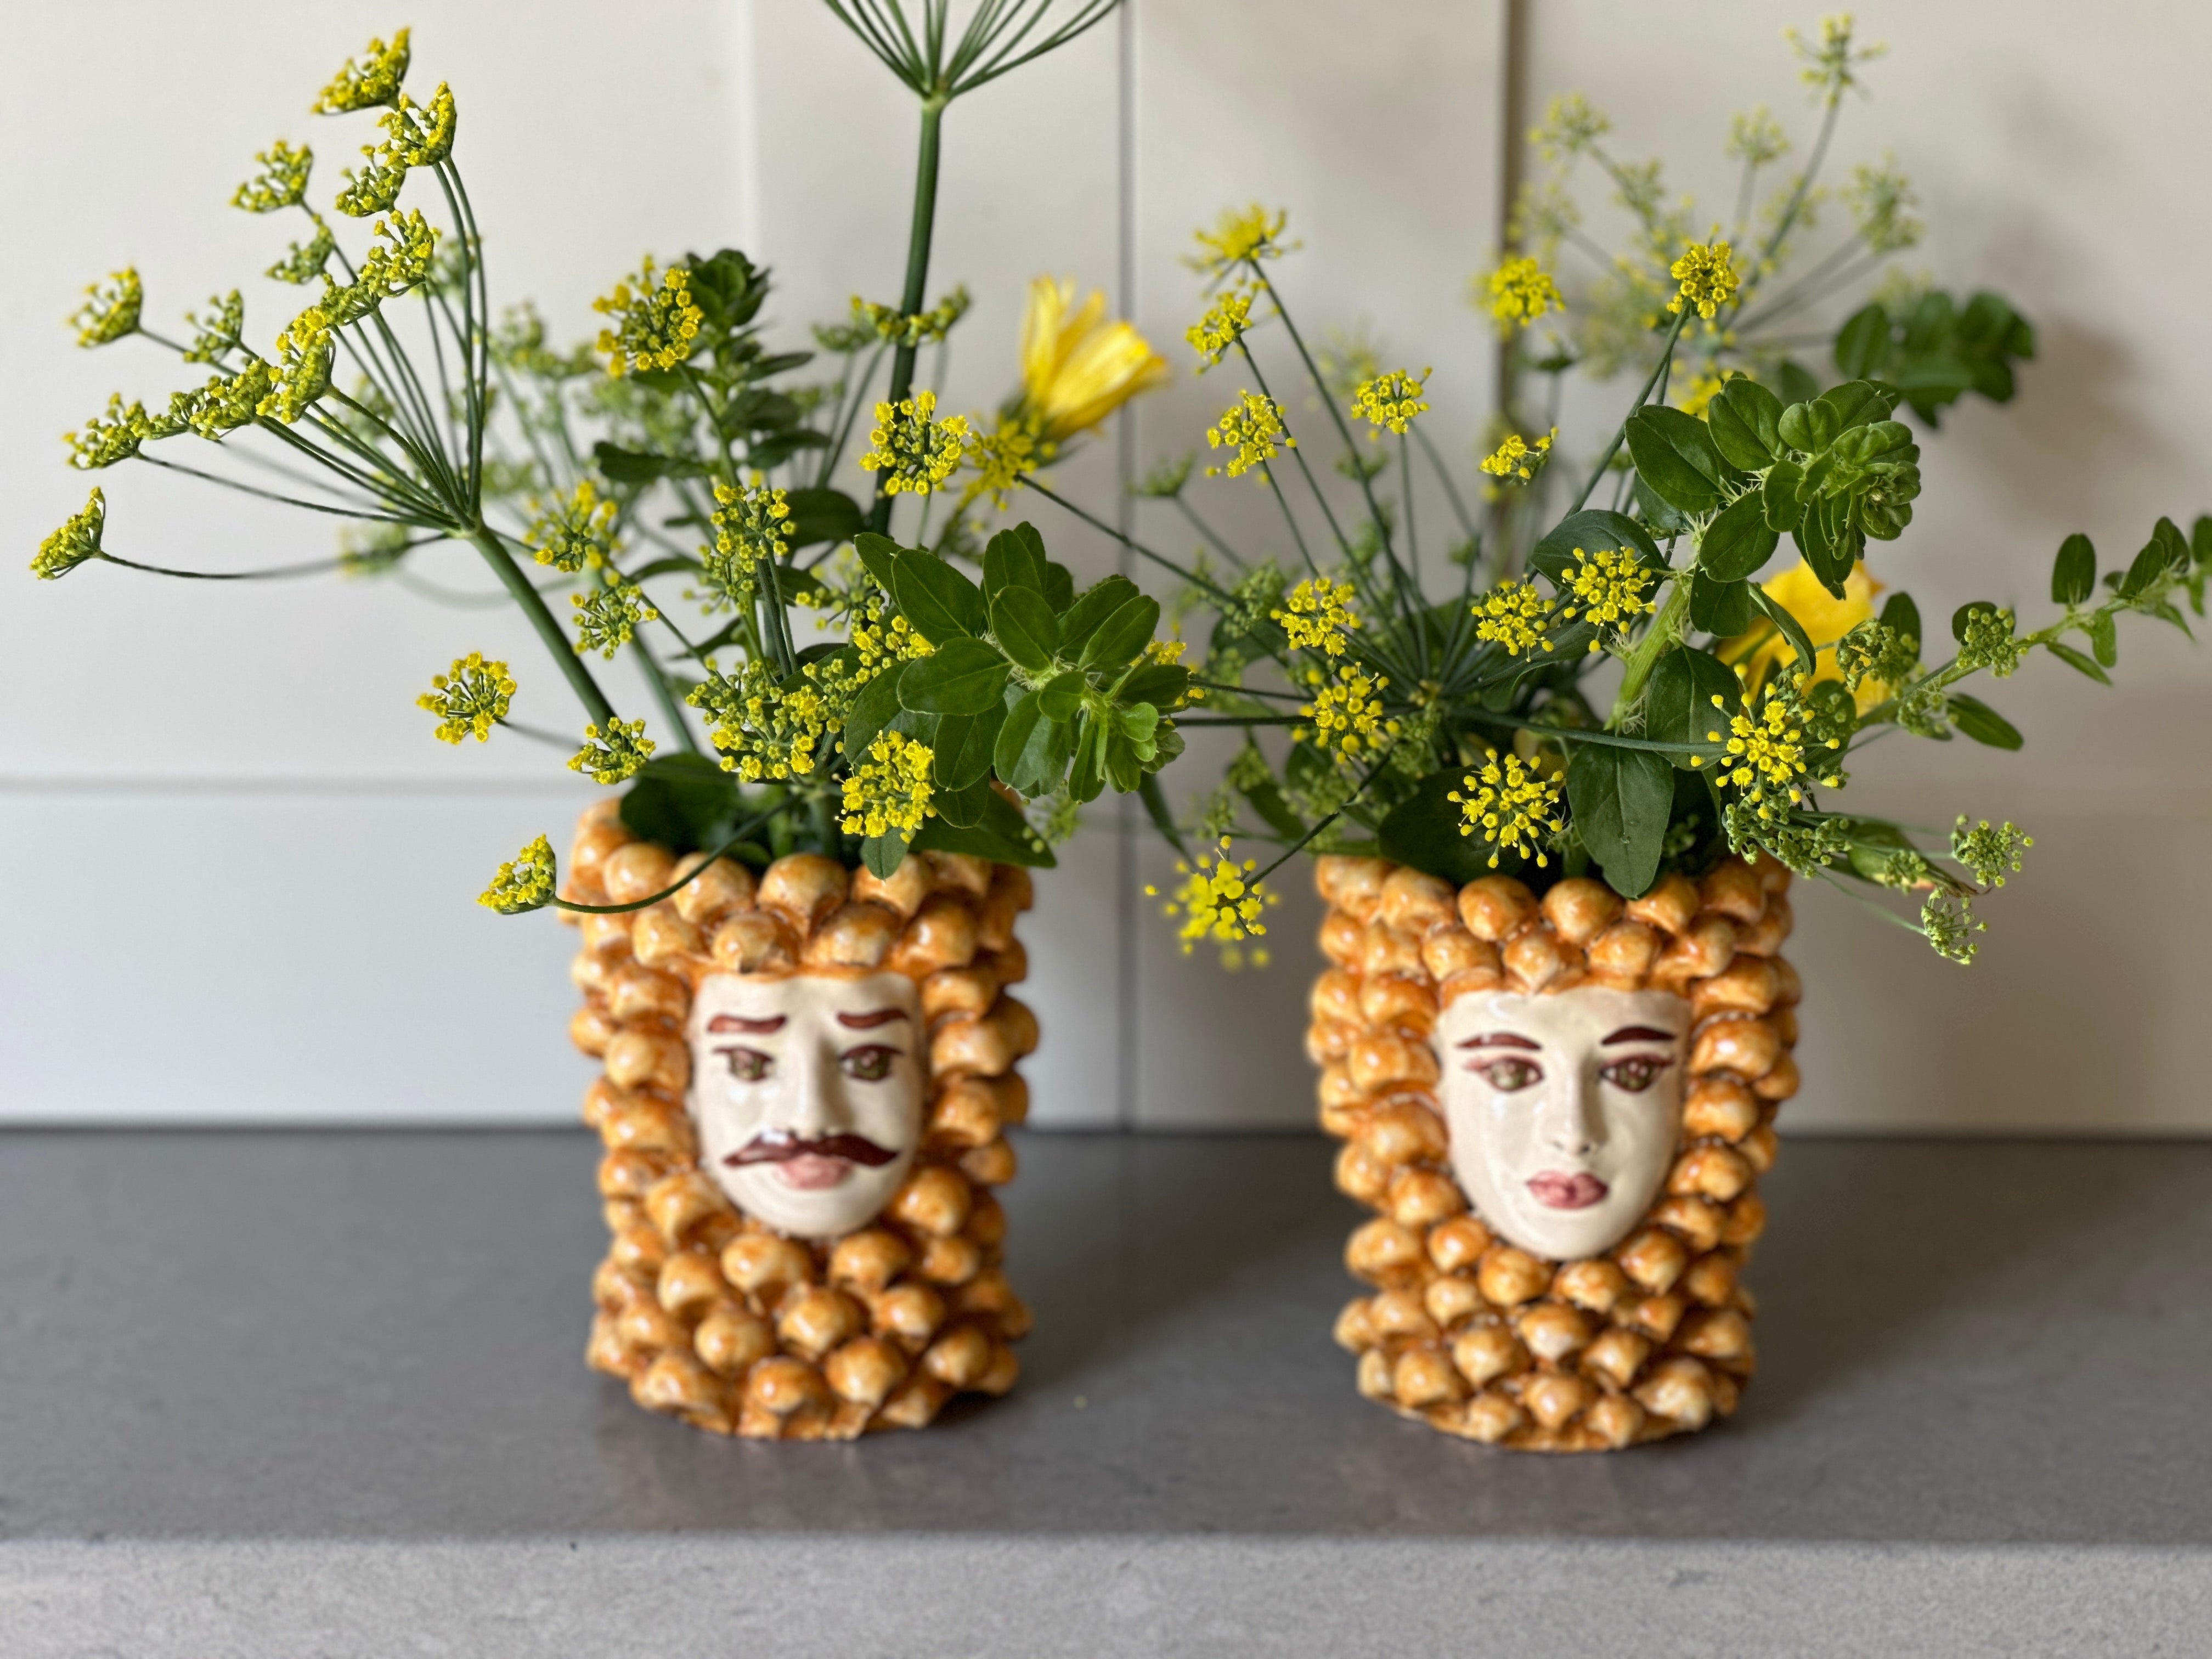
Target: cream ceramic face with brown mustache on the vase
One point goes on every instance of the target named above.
(808, 1094)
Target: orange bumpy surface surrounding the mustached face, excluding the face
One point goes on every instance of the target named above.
(716, 1315)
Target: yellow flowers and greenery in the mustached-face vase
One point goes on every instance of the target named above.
(837, 693)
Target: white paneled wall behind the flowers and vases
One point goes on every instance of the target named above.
(225, 822)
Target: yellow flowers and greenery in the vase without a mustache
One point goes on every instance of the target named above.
(1611, 689)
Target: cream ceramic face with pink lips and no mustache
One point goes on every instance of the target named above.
(1563, 1112)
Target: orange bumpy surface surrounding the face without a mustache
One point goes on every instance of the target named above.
(1463, 1328)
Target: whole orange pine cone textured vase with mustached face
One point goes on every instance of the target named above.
(806, 1083)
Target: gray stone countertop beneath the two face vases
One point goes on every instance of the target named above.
(337, 1377)
